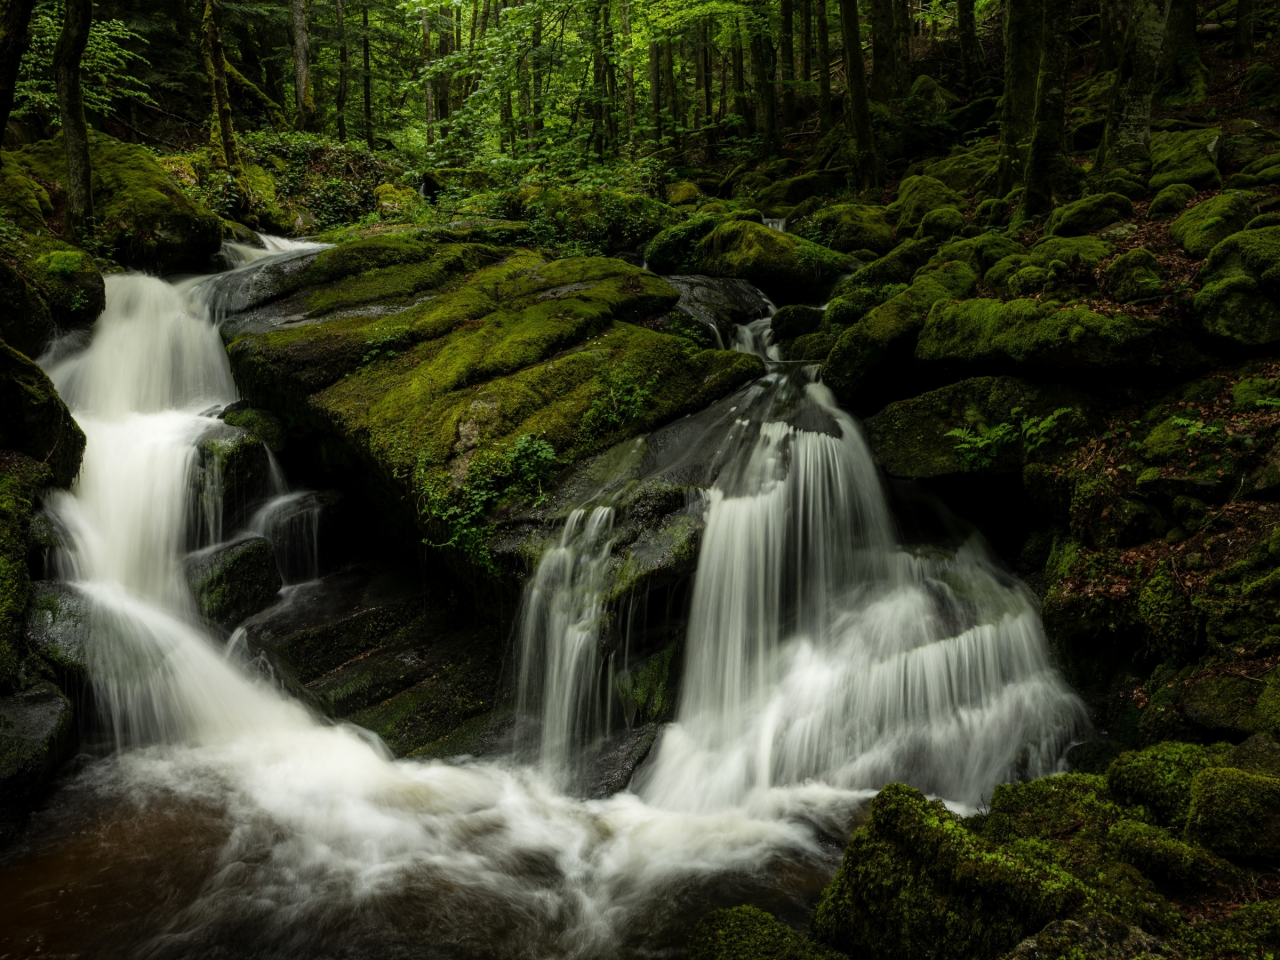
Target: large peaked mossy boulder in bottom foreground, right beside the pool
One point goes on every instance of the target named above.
(917, 884)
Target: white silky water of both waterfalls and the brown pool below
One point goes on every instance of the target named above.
(822, 660)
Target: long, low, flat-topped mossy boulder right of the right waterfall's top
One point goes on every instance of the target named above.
(1027, 335)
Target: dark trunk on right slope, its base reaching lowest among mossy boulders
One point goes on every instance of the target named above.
(1048, 168)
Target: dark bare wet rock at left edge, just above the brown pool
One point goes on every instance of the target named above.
(36, 734)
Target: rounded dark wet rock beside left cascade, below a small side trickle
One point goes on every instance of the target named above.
(234, 582)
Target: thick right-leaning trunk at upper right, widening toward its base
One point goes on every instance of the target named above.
(1127, 139)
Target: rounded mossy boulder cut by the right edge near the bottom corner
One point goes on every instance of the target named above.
(1236, 813)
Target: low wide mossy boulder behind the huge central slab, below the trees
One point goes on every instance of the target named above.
(597, 221)
